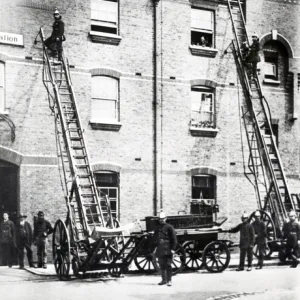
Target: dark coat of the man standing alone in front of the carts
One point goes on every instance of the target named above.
(165, 239)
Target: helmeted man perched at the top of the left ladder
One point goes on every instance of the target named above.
(54, 42)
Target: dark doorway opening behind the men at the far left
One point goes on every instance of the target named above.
(9, 174)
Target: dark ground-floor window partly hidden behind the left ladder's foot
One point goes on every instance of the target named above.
(108, 185)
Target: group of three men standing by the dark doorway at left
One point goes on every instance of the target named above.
(20, 237)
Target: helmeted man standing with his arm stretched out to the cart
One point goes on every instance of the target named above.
(247, 238)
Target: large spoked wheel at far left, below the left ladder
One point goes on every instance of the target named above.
(61, 250)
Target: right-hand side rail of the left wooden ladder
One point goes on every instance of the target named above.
(68, 77)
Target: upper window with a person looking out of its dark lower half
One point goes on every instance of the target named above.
(202, 28)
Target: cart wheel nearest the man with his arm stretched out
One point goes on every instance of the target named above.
(216, 257)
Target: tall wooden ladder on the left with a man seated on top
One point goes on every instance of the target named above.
(86, 210)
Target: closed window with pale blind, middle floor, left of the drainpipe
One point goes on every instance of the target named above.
(105, 99)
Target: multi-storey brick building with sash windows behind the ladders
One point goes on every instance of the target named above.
(167, 126)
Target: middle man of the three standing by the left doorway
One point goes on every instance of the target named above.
(24, 240)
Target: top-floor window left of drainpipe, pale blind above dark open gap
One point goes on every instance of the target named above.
(104, 16)
